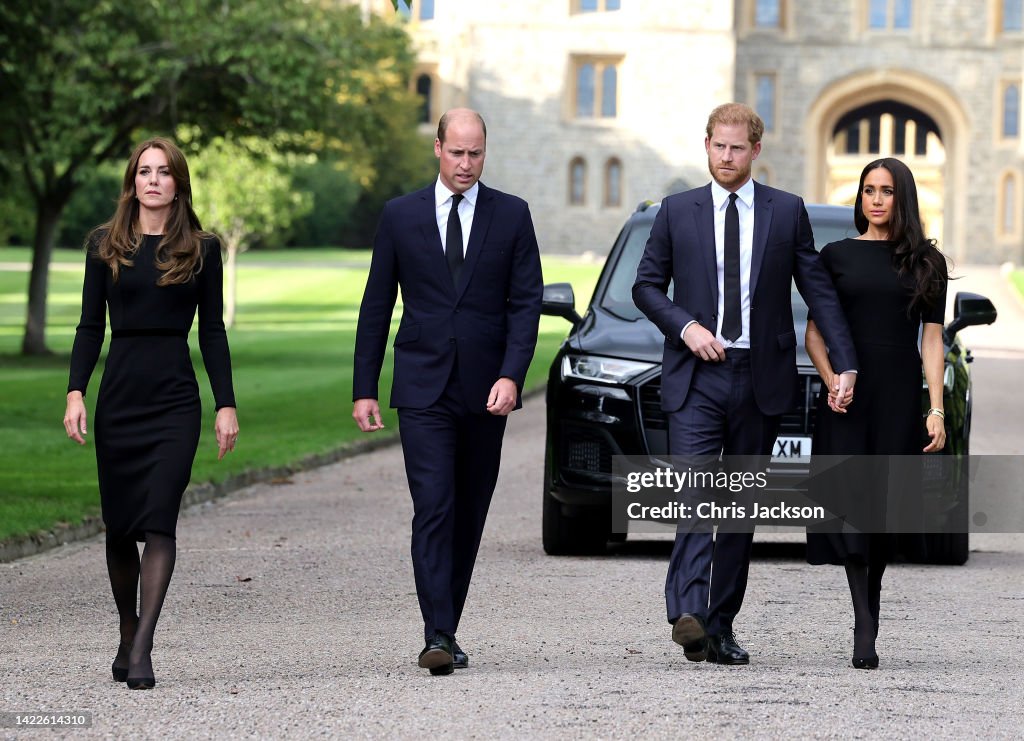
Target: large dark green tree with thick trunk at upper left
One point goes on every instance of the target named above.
(80, 79)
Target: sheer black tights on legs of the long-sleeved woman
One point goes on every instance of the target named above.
(140, 582)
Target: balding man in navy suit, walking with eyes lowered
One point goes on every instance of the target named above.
(466, 259)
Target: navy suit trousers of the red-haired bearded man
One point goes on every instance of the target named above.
(708, 573)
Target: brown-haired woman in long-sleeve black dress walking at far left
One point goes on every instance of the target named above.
(151, 267)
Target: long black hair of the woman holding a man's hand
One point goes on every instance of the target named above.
(914, 254)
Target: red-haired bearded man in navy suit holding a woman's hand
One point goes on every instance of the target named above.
(733, 248)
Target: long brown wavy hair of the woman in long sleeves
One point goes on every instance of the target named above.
(180, 255)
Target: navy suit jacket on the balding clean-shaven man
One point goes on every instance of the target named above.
(488, 324)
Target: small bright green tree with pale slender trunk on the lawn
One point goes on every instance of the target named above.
(244, 193)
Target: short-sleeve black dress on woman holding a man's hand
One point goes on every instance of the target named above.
(885, 418)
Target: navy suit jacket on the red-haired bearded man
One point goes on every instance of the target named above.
(681, 248)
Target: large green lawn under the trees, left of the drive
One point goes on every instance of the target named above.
(291, 351)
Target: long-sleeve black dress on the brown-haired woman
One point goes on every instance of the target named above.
(148, 414)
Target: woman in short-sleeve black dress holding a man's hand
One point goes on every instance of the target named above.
(890, 281)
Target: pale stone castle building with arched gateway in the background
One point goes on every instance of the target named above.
(594, 106)
